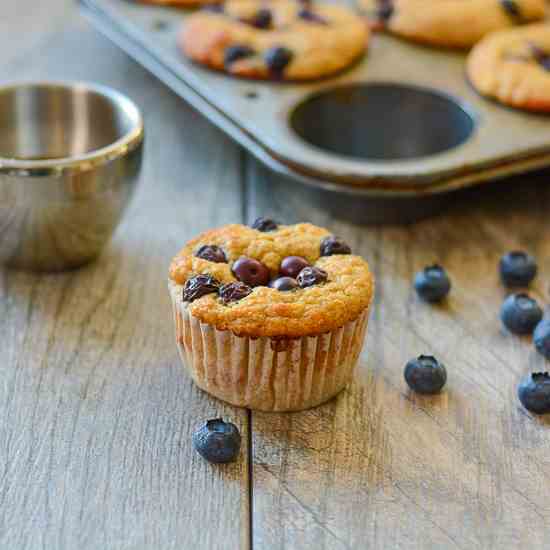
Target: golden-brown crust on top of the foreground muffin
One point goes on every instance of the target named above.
(266, 311)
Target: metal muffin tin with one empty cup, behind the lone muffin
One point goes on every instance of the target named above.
(402, 123)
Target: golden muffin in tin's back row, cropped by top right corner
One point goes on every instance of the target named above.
(451, 23)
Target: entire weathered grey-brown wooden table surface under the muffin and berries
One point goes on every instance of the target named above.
(96, 415)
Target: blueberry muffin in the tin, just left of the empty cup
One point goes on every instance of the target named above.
(282, 40)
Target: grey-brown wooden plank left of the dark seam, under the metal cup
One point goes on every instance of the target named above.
(96, 414)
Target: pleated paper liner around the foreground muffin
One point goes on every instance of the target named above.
(267, 373)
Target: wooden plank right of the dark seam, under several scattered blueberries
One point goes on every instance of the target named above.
(380, 467)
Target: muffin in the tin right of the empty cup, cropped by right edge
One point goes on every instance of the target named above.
(513, 67)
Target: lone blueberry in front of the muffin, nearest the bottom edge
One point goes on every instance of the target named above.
(217, 441)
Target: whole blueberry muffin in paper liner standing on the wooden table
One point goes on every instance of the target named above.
(280, 323)
